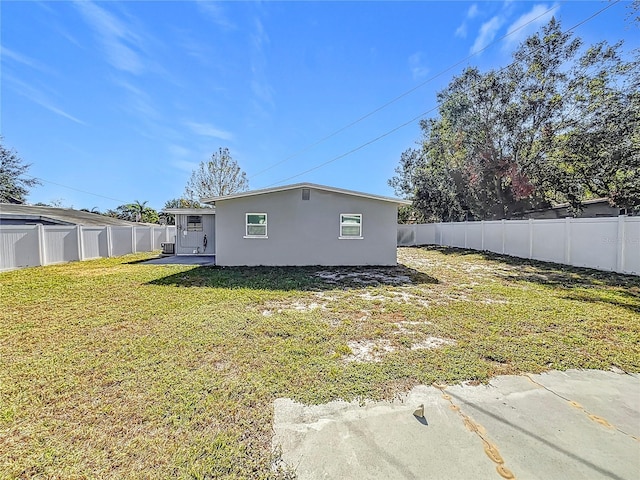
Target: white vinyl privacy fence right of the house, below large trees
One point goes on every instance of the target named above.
(606, 243)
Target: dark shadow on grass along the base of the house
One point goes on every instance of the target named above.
(316, 278)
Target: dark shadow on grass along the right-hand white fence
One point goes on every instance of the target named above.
(578, 284)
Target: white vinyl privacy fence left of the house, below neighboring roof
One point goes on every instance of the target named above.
(33, 245)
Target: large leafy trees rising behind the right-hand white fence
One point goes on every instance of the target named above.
(558, 124)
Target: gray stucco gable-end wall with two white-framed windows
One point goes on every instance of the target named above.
(305, 232)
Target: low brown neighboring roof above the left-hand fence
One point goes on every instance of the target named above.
(10, 213)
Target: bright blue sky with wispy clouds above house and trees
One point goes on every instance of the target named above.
(113, 102)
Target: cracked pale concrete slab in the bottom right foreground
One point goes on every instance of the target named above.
(557, 425)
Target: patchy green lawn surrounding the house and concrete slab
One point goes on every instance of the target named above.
(116, 369)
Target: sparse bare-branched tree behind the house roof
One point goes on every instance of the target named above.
(218, 176)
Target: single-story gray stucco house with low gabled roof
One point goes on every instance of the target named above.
(300, 224)
